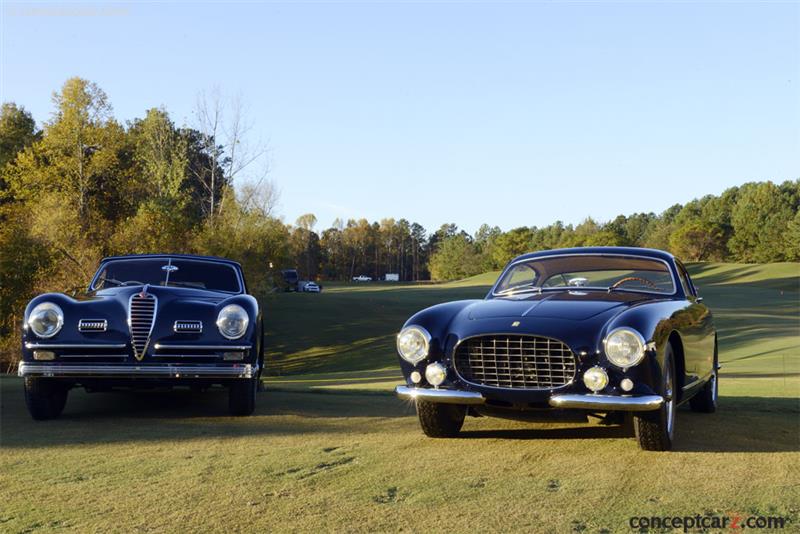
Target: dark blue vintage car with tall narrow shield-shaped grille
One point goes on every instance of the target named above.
(145, 321)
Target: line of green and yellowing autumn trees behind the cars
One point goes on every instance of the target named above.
(83, 186)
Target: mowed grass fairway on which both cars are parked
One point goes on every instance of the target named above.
(331, 450)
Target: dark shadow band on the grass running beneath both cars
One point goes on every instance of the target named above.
(743, 424)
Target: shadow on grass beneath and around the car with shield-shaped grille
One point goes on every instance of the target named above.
(180, 415)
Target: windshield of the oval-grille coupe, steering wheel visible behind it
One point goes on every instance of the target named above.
(606, 272)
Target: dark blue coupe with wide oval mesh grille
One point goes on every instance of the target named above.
(607, 331)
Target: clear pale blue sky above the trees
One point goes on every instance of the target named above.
(515, 113)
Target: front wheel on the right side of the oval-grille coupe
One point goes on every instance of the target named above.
(654, 430)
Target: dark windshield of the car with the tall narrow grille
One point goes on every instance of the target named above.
(215, 276)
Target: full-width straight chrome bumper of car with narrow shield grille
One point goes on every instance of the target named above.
(137, 371)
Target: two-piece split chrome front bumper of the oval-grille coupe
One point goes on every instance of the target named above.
(600, 403)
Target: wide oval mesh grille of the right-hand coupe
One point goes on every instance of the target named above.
(515, 362)
